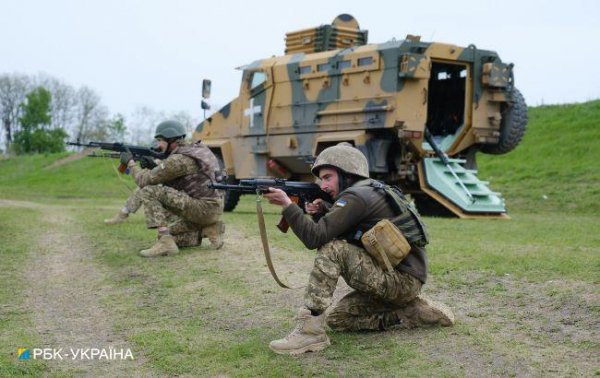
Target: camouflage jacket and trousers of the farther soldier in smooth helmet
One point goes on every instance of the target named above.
(175, 193)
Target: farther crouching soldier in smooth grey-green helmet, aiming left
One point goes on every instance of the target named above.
(175, 194)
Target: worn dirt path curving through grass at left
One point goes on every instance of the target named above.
(65, 299)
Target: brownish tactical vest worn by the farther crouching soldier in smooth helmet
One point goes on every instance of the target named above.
(196, 184)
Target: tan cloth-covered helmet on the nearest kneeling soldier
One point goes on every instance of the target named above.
(345, 157)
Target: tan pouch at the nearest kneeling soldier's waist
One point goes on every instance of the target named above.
(386, 244)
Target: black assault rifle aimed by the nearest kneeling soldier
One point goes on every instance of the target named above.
(300, 192)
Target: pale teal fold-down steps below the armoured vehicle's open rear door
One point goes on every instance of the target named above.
(437, 181)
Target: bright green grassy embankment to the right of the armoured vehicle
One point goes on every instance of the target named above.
(555, 168)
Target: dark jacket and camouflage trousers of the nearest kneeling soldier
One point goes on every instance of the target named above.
(379, 293)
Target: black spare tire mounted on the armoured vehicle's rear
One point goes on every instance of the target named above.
(512, 126)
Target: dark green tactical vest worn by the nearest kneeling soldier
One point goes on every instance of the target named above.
(407, 219)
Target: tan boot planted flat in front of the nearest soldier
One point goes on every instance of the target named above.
(308, 336)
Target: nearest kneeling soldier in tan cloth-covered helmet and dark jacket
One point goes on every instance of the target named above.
(384, 297)
